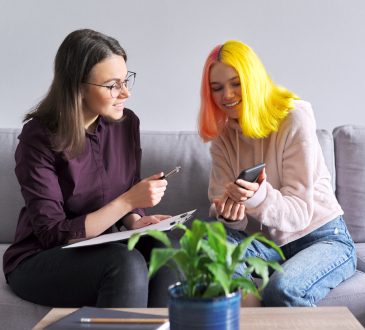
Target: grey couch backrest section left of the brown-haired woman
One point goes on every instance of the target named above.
(11, 200)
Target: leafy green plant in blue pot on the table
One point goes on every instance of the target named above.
(209, 295)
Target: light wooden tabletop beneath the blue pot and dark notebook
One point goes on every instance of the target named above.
(283, 318)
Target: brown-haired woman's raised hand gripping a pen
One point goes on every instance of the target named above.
(146, 193)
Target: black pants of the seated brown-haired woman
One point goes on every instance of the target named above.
(106, 275)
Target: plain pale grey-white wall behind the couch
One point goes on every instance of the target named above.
(314, 47)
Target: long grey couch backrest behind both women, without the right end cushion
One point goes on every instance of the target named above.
(162, 151)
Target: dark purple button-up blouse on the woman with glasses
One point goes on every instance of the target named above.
(59, 193)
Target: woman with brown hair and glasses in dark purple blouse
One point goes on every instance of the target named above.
(78, 166)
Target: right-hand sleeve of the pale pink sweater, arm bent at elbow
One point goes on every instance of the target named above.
(290, 207)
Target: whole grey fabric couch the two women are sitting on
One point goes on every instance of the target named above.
(344, 152)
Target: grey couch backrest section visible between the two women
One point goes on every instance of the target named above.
(162, 151)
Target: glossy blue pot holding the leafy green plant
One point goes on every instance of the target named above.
(203, 313)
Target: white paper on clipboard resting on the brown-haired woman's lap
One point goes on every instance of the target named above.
(164, 225)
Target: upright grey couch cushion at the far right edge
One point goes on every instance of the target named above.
(350, 176)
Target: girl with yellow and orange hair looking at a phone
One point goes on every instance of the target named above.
(249, 119)
